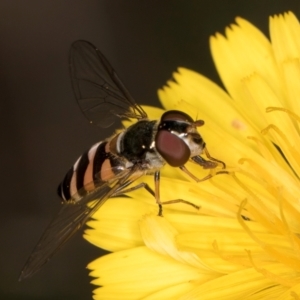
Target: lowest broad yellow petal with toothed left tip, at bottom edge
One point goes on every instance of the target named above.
(115, 273)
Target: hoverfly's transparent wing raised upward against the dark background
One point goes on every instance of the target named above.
(100, 93)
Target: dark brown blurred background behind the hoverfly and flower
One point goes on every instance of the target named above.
(42, 129)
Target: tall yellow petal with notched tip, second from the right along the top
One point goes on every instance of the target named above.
(245, 51)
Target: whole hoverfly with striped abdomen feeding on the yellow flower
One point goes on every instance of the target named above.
(109, 167)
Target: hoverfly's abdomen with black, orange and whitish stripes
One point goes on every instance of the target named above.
(93, 166)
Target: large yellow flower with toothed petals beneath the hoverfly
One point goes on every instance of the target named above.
(244, 241)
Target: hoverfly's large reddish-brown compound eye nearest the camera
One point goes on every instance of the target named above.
(173, 149)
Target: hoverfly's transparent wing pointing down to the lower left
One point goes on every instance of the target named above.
(71, 217)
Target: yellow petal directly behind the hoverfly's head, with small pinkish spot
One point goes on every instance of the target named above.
(208, 100)
